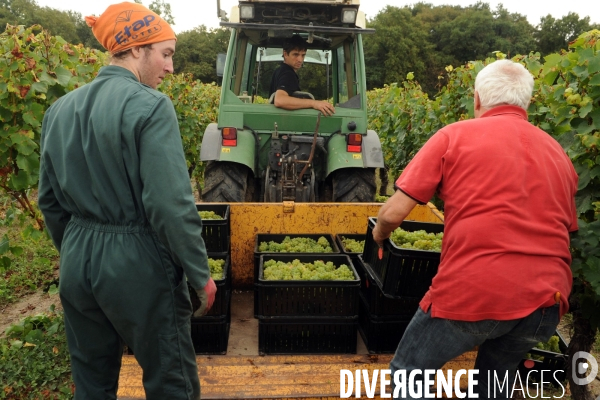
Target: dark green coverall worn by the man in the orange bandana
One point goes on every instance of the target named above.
(116, 197)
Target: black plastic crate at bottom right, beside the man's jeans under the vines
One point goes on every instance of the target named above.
(550, 361)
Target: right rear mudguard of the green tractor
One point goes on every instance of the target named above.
(370, 157)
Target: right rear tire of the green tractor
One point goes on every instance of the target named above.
(354, 185)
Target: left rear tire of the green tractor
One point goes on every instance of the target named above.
(227, 182)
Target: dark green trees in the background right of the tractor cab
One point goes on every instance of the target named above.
(424, 39)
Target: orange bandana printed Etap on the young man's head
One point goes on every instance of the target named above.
(126, 25)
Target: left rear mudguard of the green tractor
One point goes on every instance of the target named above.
(213, 150)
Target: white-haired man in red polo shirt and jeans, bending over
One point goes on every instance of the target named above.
(504, 277)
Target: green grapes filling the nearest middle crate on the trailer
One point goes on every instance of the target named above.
(298, 271)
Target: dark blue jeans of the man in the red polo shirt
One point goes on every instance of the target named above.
(429, 343)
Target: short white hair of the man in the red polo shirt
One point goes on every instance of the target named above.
(504, 82)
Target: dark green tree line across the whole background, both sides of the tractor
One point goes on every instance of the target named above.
(419, 38)
